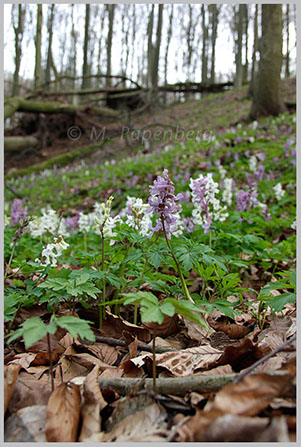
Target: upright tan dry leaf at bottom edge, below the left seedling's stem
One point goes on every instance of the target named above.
(63, 413)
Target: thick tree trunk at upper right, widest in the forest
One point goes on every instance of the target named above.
(266, 99)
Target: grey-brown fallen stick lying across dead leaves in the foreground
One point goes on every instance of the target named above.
(173, 385)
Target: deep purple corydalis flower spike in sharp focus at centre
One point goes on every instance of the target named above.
(163, 203)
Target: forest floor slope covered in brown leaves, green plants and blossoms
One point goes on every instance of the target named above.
(81, 333)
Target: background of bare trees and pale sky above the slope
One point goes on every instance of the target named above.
(109, 61)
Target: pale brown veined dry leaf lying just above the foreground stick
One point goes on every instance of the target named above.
(185, 362)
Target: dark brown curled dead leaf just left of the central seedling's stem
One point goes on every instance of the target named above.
(113, 326)
